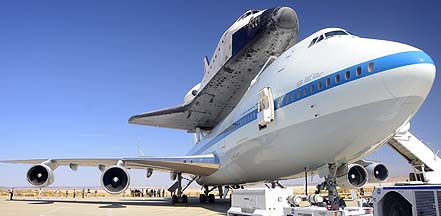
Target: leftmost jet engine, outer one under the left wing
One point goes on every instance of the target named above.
(40, 175)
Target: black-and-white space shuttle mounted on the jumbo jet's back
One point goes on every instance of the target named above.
(240, 54)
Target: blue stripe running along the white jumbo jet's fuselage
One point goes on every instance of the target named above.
(380, 64)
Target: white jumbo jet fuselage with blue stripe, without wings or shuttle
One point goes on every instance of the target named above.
(338, 123)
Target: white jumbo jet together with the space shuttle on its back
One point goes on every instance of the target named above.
(270, 107)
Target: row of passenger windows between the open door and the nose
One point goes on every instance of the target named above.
(323, 84)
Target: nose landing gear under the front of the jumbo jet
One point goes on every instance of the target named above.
(334, 201)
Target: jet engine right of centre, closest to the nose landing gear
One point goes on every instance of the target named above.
(354, 176)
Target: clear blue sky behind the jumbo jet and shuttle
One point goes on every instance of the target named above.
(72, 72)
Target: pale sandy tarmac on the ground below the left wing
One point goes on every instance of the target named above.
(108, 207)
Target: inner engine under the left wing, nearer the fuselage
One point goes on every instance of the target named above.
(115, 180)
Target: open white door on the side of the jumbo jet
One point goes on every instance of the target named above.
(265, 108)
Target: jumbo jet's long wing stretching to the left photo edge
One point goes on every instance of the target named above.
(201, 165)
